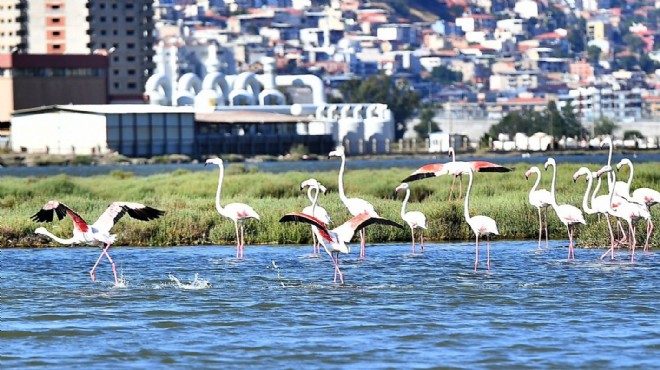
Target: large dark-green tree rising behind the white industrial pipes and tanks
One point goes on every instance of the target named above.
(399, 96)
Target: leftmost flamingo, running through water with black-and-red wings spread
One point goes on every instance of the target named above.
(99, 232)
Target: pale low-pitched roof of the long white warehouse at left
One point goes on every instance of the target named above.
(106, 109)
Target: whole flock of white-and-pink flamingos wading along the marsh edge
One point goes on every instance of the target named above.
(618, 203)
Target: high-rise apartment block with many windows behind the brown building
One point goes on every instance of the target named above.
(121, 29)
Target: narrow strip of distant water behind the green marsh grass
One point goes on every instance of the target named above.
(314, 166)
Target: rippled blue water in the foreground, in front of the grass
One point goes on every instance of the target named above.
(198, 307)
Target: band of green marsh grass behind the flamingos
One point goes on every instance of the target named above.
(191, 219)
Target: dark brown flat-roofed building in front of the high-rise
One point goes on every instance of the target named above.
(28, 80)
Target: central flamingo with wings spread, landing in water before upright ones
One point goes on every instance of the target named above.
(334, 241)
